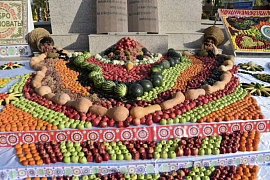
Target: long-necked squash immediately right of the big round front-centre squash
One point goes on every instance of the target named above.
(140, 112)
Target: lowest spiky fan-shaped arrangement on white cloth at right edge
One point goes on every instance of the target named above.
(257, 89)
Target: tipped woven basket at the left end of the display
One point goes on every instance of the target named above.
(39, 39)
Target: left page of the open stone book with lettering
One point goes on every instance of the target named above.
(112, 16)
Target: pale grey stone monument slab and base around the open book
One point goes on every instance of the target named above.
(74, 25)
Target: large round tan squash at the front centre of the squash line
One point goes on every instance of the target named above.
(119, 113)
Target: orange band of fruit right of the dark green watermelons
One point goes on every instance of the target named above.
(188, 73)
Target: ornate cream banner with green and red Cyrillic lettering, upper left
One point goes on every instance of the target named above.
(13, 22)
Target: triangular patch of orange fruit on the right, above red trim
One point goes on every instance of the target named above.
(243, 109)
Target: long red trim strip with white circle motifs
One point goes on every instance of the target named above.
(8, 139)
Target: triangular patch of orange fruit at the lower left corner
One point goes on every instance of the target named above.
(14, 119)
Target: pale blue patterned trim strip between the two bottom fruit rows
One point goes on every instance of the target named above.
(149, 167)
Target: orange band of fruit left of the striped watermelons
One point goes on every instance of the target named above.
(70, 77)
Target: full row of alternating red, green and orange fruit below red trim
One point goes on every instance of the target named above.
(89, 151)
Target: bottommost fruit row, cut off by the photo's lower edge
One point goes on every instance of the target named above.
(194, 173)
